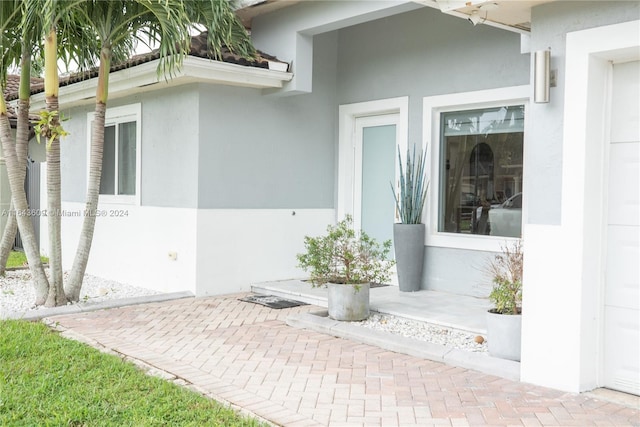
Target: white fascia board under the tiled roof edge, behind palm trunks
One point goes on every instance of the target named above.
(144, 78)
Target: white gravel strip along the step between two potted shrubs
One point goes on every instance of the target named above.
(424, 332)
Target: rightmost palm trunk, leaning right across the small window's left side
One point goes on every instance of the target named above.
(95, 173)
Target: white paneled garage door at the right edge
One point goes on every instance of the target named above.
(622, 289)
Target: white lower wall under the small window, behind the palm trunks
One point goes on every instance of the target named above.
(132, 244)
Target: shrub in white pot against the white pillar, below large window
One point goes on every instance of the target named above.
(504, 320)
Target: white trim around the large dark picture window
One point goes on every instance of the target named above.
(433, 106)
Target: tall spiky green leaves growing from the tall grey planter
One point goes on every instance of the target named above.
(413, 187)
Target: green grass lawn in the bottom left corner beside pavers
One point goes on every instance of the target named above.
(49, 380)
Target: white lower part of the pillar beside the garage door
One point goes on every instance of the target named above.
(551, 326)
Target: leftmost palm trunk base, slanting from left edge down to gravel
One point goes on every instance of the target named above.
(19, 197)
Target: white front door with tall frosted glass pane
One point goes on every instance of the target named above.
(374, 172)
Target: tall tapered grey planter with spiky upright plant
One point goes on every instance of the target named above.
(408, 235)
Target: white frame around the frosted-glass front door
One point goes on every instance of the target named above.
(348, 115)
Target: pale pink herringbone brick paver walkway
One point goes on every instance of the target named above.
(245, 354)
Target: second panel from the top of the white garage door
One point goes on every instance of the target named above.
(624, 184)
